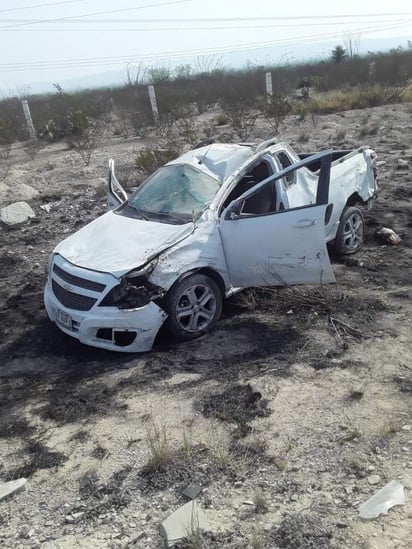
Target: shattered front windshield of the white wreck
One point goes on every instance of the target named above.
(176, 193)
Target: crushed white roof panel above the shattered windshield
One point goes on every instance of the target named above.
(219, 160)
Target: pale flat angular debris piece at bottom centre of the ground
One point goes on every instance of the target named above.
(185, 521)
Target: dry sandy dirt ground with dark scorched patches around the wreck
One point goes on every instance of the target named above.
(109, 441)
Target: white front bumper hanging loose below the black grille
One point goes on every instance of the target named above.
(124, 330)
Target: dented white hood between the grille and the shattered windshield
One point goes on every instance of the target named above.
(116, 244)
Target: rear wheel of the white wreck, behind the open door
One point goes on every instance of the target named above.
(349, 238)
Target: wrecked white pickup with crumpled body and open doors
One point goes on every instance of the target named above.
(219, 218)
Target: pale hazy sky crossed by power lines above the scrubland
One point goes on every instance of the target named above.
(45, 41)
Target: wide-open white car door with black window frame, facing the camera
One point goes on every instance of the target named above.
(282, 247)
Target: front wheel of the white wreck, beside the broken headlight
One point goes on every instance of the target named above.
(194, 306)
